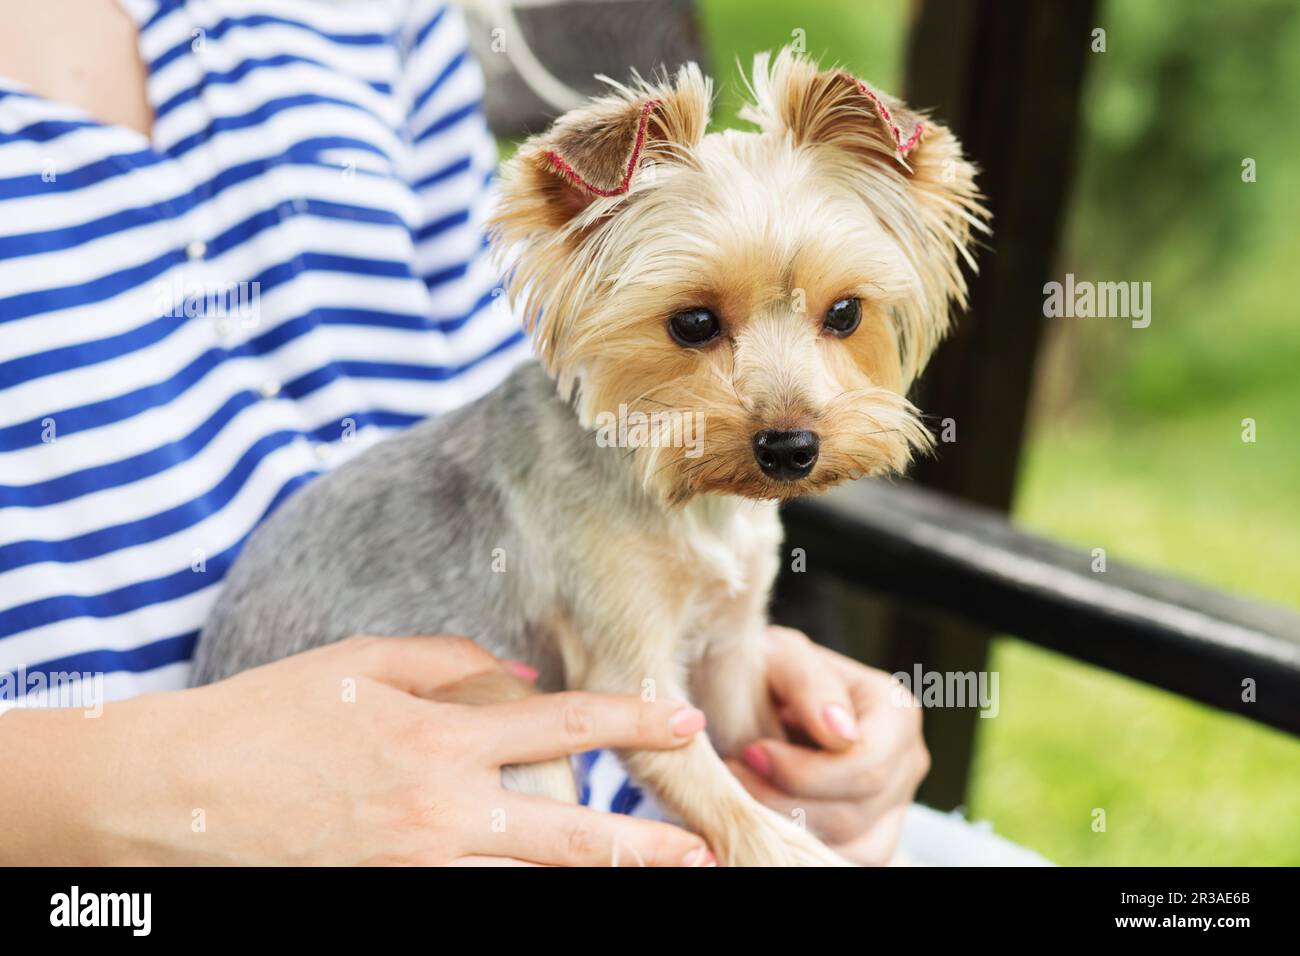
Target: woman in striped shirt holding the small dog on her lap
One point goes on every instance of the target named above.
(240, 241)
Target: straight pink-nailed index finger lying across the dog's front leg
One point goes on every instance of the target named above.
(558, 725)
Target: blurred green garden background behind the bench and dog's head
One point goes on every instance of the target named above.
(1137, 436)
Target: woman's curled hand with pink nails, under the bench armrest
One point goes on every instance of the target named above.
(866, 755)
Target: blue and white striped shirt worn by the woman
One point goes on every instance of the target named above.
(196, 323)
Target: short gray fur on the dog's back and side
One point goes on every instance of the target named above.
(404, 539)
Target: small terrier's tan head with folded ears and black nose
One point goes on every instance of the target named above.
(748, 310)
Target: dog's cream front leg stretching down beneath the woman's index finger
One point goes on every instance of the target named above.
(696, 785)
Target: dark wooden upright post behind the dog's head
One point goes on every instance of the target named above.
(1007, 76)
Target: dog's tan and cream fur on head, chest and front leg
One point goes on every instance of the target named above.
(626, 213)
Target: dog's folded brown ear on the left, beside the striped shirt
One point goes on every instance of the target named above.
(595, 157)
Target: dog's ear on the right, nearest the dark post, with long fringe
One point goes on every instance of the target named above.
(909, 168)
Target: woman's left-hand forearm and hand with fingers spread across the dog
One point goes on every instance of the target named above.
(327, 758)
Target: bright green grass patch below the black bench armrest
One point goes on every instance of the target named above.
(1180, 785)
